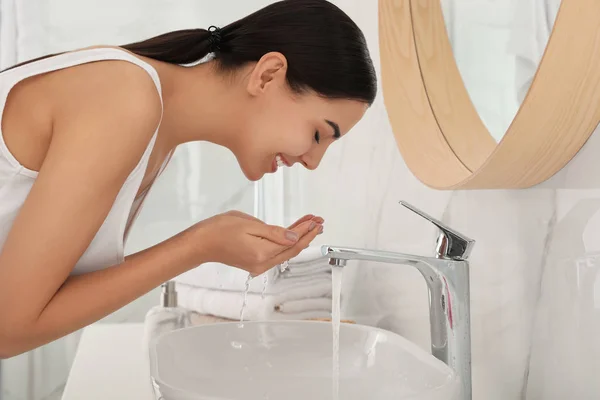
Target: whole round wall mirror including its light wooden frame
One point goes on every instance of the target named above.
(476, 103)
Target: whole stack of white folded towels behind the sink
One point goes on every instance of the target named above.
(302, 291)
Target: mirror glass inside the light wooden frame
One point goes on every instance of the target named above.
(497, 46)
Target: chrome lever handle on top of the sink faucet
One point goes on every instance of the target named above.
(450, 244)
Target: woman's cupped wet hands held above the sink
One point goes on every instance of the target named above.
(245, 242)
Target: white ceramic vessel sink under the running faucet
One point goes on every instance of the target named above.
(292, 360)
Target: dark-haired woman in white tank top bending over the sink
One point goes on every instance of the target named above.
(86, 133)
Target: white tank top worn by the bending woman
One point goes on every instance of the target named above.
(107, 247)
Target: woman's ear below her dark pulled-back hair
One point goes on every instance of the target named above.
(269, 71)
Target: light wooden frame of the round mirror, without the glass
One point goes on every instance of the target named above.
(438, 131)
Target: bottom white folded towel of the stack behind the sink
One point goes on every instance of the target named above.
(303, 303)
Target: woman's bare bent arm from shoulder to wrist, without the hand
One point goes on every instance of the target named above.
(99, 135)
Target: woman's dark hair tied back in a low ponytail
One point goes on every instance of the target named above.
(325, 50)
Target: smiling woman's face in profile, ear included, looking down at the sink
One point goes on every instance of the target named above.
(277, 123)
